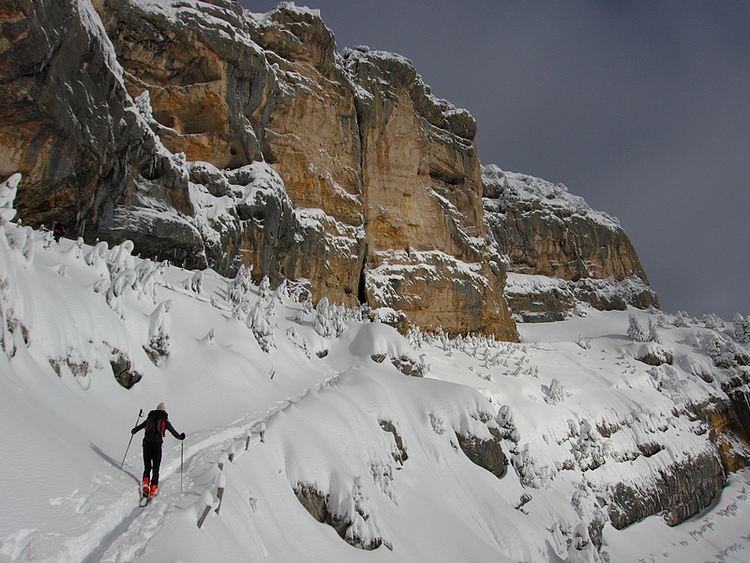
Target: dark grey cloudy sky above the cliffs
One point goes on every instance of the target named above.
(641, 107)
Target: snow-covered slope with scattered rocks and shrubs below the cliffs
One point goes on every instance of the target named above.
(321, 445)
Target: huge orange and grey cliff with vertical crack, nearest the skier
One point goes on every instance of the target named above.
(141, 121)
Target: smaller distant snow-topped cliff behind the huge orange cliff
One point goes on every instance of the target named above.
(547, 232)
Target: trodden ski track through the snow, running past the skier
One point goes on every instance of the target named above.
(128, 539)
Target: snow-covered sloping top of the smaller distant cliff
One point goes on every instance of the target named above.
(511, 188)
